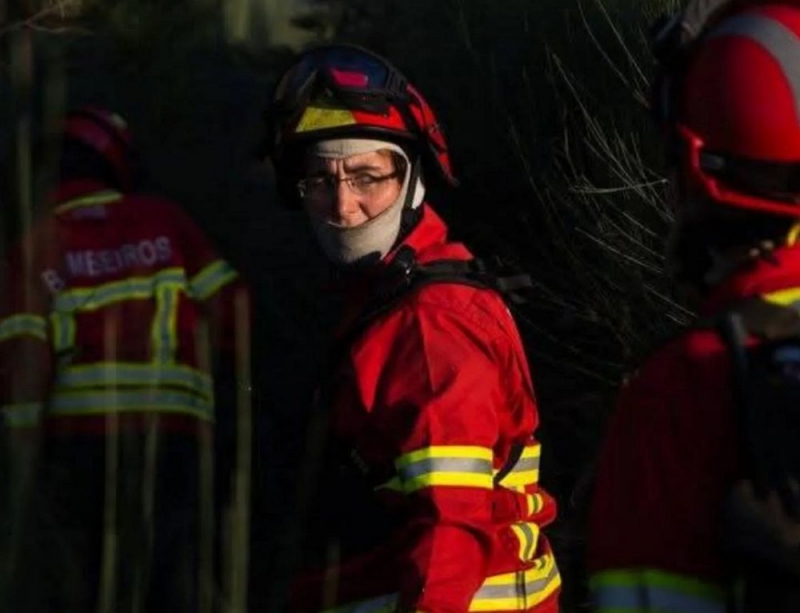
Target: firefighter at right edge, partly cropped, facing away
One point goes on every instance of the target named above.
(677, 463)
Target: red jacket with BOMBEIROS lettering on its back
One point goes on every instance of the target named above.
(110, 296)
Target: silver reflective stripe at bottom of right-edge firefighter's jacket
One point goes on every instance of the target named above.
(650, 598)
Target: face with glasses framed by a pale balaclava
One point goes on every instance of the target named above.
(350, 191)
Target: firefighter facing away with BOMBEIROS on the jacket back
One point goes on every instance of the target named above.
(109, 312)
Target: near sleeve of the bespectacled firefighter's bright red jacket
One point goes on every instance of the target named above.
(438, 400)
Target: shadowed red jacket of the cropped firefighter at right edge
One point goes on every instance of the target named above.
(670, 459)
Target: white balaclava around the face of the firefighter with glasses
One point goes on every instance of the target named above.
(374, 238)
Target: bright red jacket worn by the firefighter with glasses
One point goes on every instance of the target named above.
(433, 395)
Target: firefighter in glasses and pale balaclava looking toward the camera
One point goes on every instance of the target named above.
(431, 396)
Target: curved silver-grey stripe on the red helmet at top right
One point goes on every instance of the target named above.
(773, 36)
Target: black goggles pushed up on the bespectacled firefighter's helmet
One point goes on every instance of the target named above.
(347, 74)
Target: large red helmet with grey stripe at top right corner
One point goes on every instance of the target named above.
(735, 106)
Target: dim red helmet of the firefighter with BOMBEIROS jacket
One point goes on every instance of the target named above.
(106, 133)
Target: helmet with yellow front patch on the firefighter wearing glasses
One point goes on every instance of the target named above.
(341, 91)
